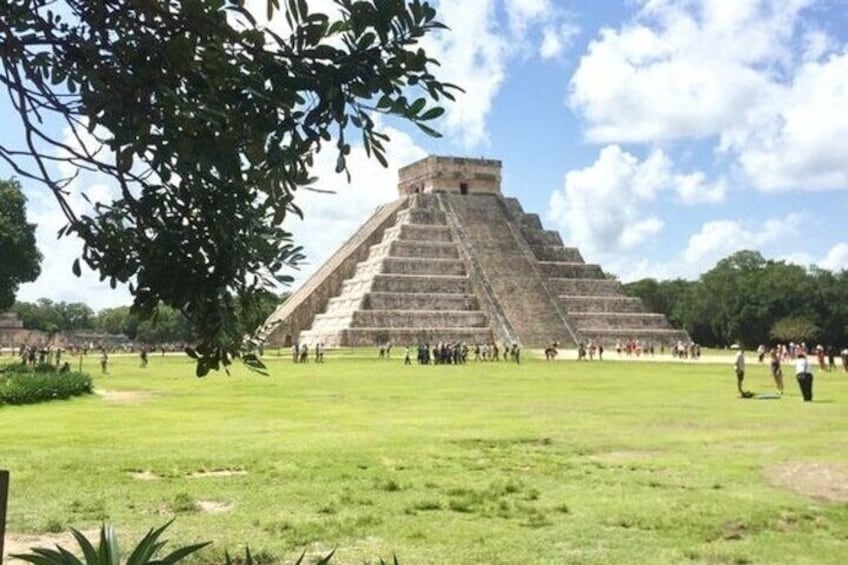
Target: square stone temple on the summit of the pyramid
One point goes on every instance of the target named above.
(450, 174)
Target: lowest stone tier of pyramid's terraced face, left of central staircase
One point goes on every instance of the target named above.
(399, 337)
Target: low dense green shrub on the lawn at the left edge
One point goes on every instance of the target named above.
(28, 387)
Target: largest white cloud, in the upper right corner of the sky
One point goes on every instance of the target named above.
(747, 76)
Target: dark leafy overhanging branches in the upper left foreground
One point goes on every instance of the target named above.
(208, 123)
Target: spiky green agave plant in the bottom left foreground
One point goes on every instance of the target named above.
(108, 552)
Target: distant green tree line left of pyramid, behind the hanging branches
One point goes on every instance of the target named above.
(167, 326)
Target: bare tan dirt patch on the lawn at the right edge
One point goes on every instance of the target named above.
(822, 481)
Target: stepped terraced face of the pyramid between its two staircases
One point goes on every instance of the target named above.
(413, 288)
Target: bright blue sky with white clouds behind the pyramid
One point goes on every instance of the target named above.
(658, 136)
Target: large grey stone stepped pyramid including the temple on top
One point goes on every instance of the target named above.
(453, 260)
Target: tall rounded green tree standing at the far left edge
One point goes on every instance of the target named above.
(20, 260)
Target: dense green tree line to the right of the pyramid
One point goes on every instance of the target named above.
(748, 300)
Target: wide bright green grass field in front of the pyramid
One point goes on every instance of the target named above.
(614, 462)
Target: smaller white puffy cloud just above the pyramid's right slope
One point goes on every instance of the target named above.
(607, 206)
